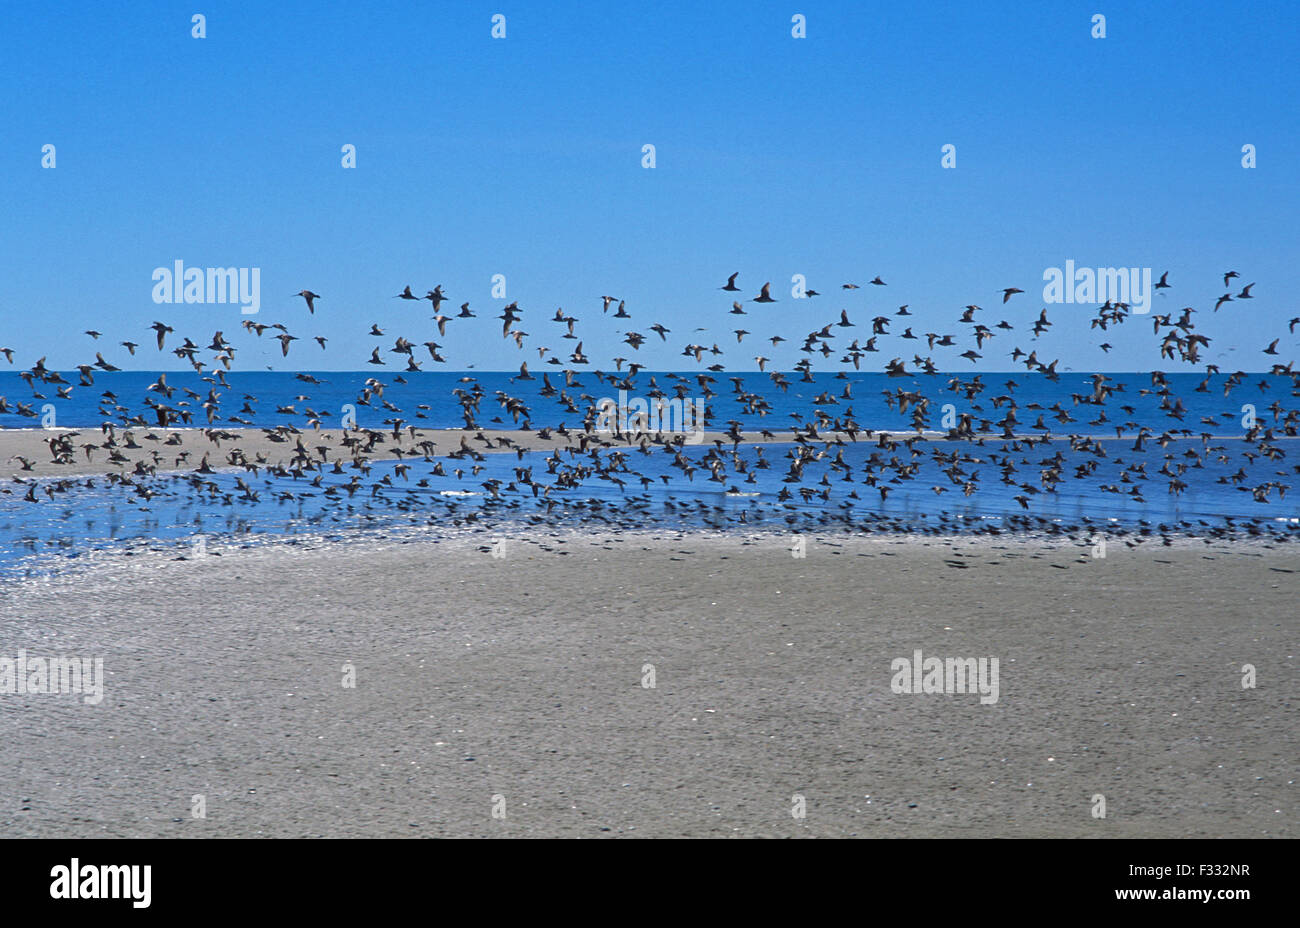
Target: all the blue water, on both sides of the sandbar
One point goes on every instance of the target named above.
(233, 508)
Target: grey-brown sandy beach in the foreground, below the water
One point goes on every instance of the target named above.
(518, 686)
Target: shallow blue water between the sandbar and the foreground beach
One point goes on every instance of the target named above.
(179, 509)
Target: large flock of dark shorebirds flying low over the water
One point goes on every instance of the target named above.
(987, 437)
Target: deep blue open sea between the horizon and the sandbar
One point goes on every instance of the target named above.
(427, 400)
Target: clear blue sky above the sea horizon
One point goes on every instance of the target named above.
(522, 157)
